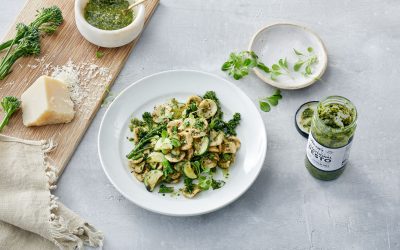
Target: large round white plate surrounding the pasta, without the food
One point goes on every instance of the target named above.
(155, 89)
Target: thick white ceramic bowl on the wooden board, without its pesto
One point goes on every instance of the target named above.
(109, 38)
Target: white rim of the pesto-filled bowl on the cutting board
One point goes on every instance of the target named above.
(139, 9)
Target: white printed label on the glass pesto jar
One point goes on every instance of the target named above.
(326, 159)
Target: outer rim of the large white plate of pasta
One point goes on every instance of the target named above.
(263, 156)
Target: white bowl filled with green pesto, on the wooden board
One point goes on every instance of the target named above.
(109, 23)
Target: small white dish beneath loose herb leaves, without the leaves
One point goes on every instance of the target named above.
(277, 41)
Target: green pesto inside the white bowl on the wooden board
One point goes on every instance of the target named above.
(108, 14)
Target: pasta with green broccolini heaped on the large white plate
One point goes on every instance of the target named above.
(183, 139)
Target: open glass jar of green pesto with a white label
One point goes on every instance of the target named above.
(329, 142)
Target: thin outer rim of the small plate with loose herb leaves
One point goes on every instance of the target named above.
(278, 84)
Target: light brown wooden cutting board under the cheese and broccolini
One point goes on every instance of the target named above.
(96, 75)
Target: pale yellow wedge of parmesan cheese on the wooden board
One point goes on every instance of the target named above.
(47, 101)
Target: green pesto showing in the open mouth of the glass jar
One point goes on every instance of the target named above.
(336, 115)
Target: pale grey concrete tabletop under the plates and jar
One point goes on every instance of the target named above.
(286, 208)
